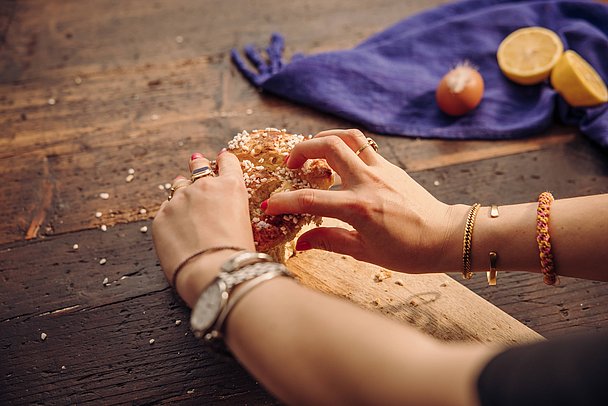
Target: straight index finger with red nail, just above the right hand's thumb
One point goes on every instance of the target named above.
(327, 203)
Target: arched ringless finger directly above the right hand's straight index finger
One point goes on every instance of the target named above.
(337, 154)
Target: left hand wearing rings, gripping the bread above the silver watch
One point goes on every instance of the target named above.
(211, 212)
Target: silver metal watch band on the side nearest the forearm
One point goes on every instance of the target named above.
(267, 271)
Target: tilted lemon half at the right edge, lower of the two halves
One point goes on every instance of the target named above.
(577, 82)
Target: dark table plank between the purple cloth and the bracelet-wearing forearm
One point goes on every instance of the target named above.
(577, 168)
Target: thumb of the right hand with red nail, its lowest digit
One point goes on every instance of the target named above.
(333, 239)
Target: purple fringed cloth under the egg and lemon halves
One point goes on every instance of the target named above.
(387, 83)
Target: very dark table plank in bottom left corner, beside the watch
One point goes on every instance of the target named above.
(102, 354)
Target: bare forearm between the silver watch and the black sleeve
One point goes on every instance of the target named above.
(309, 348)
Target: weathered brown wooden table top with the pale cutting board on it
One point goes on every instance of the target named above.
(92, 89)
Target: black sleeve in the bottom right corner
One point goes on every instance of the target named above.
(567, 371)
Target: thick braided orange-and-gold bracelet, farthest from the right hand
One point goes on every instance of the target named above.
(547, 265)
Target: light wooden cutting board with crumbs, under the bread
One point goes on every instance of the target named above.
(434, 303)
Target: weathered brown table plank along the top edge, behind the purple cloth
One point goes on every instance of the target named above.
(54, 35)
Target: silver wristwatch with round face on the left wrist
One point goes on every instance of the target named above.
(212, 302)
